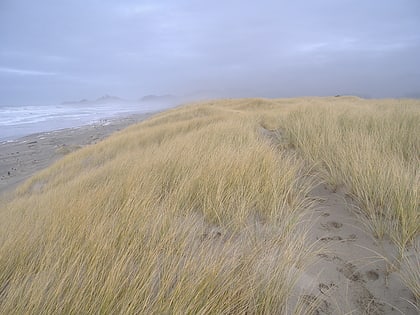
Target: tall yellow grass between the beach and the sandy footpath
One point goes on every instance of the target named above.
(191, 212)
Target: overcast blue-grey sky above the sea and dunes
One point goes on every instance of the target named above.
(52, 50)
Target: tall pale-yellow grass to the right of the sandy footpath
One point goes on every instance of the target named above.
(371, 147)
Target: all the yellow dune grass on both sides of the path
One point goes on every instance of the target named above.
(198, 211)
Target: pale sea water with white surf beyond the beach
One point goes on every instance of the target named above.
(20, 121)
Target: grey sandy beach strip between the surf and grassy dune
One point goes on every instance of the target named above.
(23, 157)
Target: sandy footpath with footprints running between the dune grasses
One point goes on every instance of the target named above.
(351, 277)
